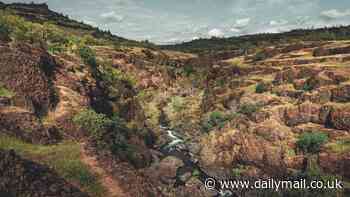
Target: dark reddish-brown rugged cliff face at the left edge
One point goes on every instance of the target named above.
(25, 70)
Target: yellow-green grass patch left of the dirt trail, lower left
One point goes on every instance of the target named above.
(64, 158)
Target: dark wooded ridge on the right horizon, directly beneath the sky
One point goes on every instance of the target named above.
(261, 40)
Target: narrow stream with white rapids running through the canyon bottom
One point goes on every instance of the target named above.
(178, 148)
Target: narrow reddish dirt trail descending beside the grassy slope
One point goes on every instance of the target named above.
(112, 185)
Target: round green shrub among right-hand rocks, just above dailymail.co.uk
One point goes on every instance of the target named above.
(311, 142)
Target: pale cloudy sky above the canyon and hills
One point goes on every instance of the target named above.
(174, 21)
